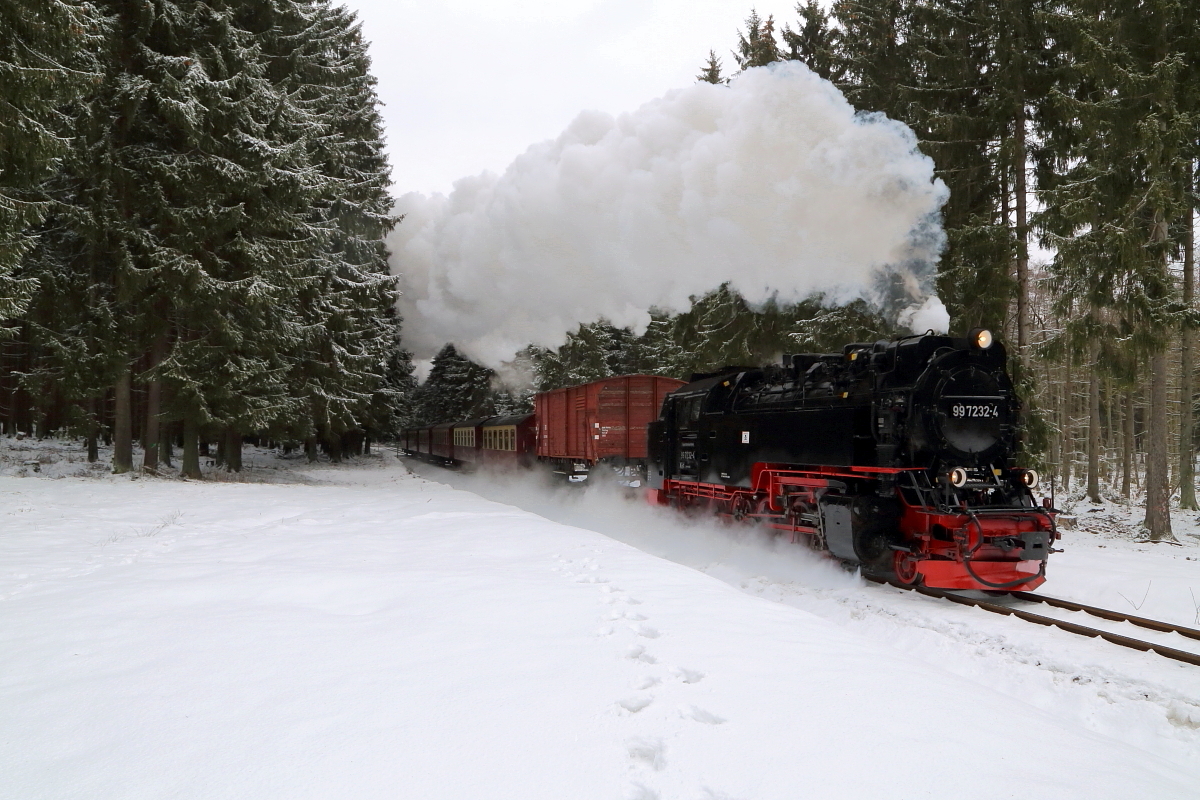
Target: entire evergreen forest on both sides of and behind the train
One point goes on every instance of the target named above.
(194, 200)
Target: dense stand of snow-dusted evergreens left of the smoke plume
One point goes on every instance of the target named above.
(193, 210)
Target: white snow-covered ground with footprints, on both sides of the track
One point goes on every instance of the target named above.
(367, 633)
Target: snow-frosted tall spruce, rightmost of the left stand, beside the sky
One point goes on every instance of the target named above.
(346, 370)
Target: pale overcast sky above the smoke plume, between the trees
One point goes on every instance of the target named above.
(469, 85)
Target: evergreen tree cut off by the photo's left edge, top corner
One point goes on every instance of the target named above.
(45, 64)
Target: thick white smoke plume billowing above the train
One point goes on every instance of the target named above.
(772, 183)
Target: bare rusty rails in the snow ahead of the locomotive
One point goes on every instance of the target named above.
(1073, 628)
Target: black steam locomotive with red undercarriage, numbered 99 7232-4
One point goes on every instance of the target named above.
(899, 456)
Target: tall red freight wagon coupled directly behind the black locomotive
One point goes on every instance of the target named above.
(604, 420)
